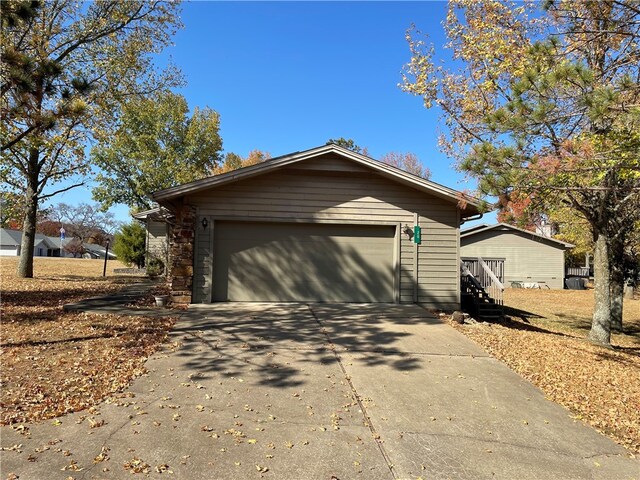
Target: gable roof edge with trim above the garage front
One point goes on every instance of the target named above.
(472, 206)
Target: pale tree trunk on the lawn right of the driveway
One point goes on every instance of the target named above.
(601, 324)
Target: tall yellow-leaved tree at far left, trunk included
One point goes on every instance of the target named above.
(66, 68)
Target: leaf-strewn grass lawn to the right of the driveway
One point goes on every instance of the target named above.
(543, 339)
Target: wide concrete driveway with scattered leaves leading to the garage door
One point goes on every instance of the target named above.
(296, 391)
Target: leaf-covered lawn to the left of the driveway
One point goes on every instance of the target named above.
(54, 362)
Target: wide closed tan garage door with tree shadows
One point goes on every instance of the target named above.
(313, 262)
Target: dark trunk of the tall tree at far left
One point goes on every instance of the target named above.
(25, 266)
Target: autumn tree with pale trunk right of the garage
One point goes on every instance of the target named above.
(545, 104)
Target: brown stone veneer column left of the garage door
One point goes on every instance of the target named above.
(181, 239)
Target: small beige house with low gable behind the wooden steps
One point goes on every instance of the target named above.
(528, 257)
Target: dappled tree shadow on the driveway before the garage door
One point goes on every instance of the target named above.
(317, 330)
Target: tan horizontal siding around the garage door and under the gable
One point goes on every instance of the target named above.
(345, 193)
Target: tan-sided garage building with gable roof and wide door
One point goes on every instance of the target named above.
(321, 225)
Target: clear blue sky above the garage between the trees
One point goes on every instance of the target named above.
(288, 76)
